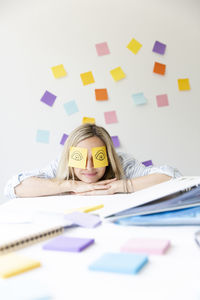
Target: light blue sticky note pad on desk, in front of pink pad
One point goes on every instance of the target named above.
(127, 263)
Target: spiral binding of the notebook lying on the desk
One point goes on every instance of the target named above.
(31, 239)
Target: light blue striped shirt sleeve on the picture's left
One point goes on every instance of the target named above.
(47, 172)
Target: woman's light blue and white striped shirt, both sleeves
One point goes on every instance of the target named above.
(132, 169)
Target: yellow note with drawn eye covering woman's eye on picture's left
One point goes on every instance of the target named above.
(77, 157)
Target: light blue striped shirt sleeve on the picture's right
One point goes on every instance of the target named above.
(133, 168)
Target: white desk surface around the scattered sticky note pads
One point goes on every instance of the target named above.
(174, 275)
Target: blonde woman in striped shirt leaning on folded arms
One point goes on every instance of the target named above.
(123, 173)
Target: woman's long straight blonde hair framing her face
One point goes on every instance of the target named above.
(85, 131)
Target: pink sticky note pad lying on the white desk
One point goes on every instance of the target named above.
(146, 245)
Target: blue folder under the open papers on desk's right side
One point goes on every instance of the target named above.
(186, 216)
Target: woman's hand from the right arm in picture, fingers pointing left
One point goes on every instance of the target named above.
(109, 188)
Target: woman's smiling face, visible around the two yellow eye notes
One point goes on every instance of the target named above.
(90, 174)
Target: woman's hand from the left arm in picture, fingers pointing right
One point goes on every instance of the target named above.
(80, 187)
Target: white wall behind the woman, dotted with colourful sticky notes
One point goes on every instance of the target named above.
(38, 34)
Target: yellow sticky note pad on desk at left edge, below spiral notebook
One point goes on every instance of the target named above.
(12, 264)
